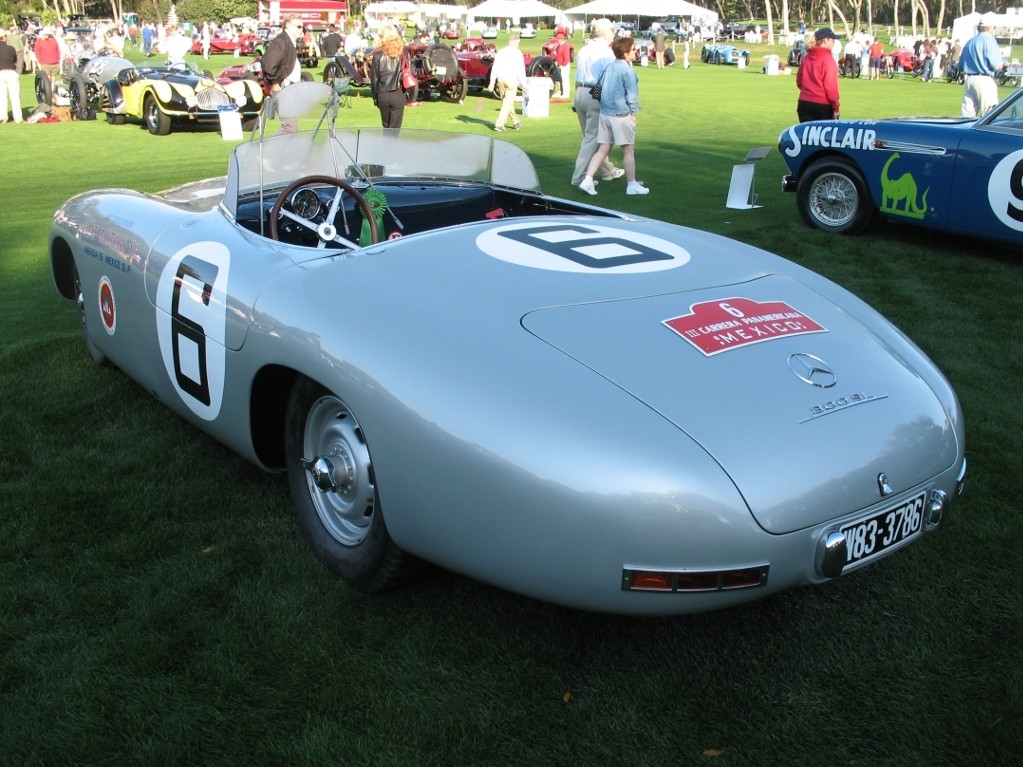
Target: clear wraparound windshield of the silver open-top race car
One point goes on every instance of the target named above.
(374, 154)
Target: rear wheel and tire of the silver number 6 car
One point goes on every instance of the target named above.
(341, 516)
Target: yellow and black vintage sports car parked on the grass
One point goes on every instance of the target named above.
(163, 97)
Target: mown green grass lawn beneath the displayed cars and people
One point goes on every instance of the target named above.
(159, 604)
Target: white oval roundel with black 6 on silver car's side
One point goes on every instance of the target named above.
(192, 325)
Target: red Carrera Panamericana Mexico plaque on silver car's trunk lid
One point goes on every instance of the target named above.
(717, 327)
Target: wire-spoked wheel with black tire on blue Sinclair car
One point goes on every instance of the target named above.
(833, 197)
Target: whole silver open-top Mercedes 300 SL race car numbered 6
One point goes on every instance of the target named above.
(595, 410)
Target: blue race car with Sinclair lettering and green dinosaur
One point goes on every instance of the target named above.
(950, 174)
